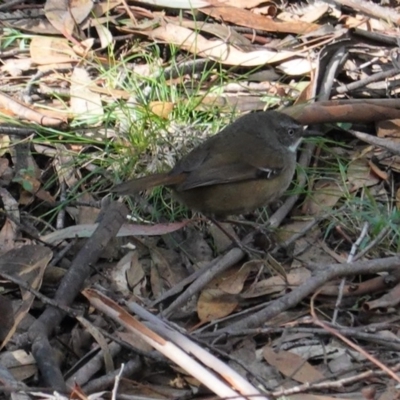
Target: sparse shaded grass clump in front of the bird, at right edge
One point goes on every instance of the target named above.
(366, 205)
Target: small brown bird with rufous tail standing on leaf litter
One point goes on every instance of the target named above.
(247, 165)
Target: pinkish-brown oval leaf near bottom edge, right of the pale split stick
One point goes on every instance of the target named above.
(292, 365)
